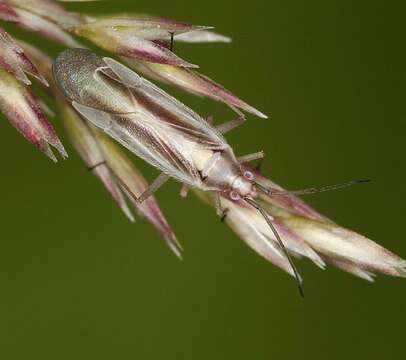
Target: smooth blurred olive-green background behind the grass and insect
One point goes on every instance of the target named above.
(78, 281)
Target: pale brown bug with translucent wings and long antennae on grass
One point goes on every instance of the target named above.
(159, 129)
